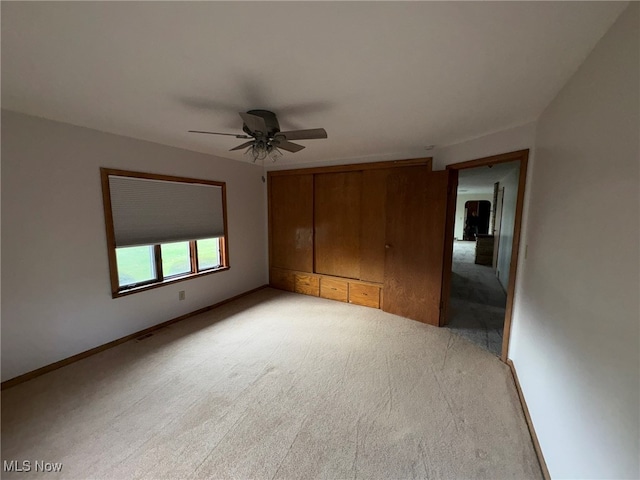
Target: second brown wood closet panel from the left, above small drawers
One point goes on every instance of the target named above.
(337, 225)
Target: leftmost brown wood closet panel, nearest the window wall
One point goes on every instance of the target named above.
(291, 222)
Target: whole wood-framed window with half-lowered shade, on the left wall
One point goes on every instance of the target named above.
(162, 229)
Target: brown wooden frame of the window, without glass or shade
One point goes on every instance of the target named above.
(159, 281)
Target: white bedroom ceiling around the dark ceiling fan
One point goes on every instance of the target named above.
(384, 79)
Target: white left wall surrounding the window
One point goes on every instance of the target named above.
(56, 298)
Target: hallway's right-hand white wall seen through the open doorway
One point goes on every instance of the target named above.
(505, 243)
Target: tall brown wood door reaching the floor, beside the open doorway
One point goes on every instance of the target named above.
(417, 233)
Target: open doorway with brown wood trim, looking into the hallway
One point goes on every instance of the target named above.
(485, 248)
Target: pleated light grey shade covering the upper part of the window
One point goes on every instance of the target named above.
(147, 212)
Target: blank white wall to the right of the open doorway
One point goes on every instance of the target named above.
(575, 337)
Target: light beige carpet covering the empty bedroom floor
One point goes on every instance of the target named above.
(276, 385)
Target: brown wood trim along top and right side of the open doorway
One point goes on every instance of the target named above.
(523, 157)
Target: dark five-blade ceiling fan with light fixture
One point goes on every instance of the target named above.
(262, 127)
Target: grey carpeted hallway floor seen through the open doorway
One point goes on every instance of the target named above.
(477, 302)
